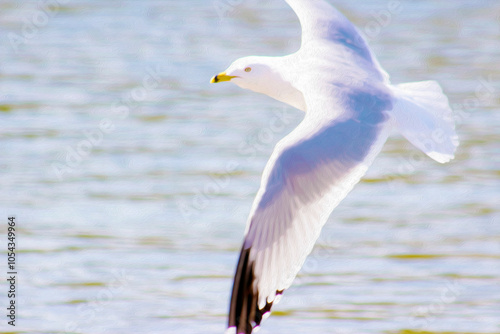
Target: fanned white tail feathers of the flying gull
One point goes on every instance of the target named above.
(423, 116)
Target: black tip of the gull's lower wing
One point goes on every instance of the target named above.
(244, 312)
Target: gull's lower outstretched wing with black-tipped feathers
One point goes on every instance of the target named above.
(310, 171)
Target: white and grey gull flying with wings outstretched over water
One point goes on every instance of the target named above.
(350, 108)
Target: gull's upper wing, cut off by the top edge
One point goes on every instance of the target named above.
(320, 21)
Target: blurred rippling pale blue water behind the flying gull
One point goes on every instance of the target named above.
(131, 176)
